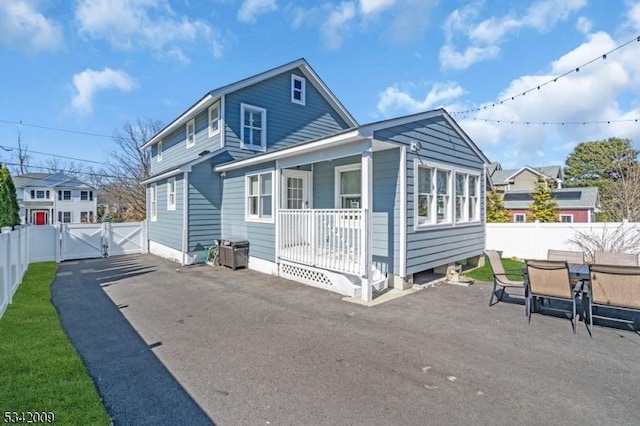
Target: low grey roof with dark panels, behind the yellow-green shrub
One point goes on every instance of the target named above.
(567, 198)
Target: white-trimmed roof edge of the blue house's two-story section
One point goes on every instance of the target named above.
(215, 94)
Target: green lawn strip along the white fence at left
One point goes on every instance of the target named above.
(39, 368)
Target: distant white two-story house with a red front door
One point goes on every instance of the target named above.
(46, 198)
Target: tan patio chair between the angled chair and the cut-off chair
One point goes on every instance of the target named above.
(550, 279)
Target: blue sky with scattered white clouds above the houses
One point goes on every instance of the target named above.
(91, 65)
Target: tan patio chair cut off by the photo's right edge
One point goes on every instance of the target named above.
(613, 286)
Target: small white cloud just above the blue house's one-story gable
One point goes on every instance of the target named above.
(396, 100)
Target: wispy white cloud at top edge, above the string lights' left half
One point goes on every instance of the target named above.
(484, 38)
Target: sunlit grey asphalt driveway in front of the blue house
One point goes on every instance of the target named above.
(254, 349)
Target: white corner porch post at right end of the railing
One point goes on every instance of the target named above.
(367, 205)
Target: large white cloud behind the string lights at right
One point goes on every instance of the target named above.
(596, 93)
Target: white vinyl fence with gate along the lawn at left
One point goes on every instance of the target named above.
(62, 242)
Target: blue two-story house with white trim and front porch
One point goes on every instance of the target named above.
(277, 160)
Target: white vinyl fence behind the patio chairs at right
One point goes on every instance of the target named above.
(532, 240)
